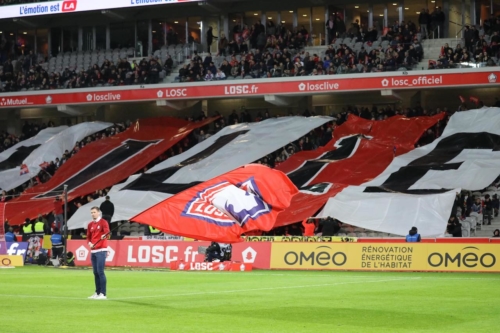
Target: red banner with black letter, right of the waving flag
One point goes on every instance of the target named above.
(360, 150)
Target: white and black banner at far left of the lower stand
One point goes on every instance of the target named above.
(53, 142)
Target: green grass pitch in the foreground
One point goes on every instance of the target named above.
(40, 299)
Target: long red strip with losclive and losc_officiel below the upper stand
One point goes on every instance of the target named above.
(288, 86)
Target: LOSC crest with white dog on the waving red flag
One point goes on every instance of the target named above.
(223, 204)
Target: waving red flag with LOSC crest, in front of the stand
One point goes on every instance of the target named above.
(221, 209)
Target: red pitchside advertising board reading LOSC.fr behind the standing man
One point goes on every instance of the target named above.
(138, 253)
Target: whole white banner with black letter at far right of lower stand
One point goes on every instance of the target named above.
(418, 188)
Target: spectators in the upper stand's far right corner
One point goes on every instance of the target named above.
(481, 47)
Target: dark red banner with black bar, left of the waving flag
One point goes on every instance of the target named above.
(102, 164)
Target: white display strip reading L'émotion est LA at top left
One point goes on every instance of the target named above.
(71, 6)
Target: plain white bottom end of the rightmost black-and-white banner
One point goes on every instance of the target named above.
(393, 213)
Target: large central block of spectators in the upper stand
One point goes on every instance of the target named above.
(274, 51)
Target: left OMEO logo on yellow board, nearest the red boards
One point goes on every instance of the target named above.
(322, 256)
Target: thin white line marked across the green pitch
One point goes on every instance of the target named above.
(211, 292)
